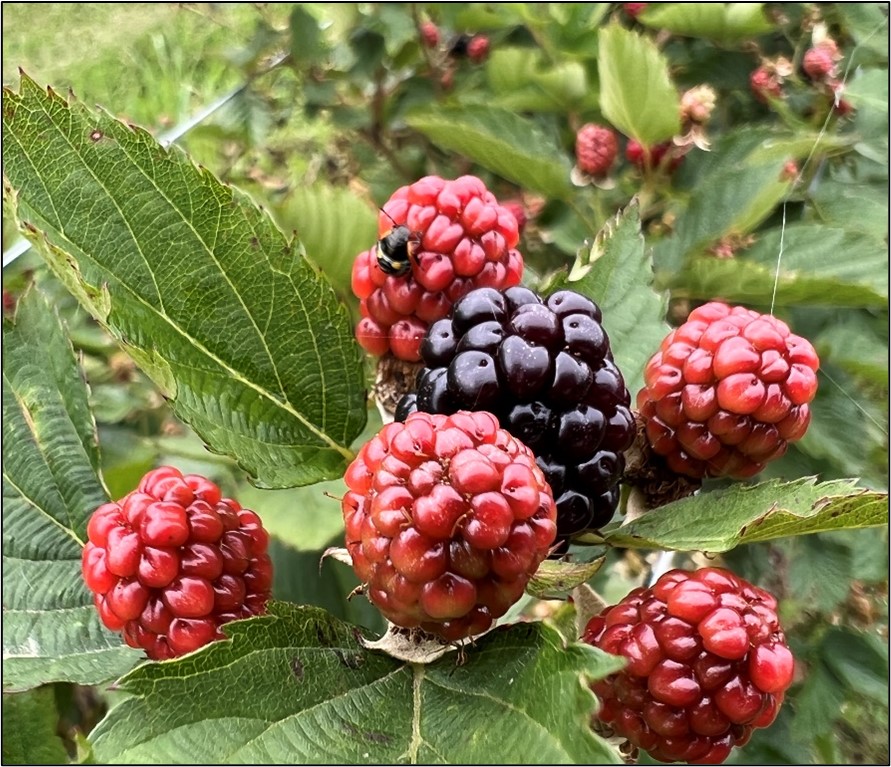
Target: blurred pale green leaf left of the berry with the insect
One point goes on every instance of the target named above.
(334, 226)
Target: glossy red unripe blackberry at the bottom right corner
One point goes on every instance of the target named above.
(707, 663)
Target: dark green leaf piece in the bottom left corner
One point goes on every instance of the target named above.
(30, 721)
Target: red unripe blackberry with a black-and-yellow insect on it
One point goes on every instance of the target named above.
(462, 238)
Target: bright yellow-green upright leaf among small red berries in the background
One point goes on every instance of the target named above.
(636, 92)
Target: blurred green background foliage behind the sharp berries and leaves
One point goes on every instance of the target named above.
(333, 106)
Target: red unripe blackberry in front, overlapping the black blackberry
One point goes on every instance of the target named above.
(447, 518)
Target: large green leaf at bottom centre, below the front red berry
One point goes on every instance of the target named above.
(296, 687)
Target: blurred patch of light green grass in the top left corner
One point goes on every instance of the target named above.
(154, 64)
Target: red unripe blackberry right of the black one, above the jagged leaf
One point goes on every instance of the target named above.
(727, 392)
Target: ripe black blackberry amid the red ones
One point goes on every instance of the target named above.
(545, 369)
